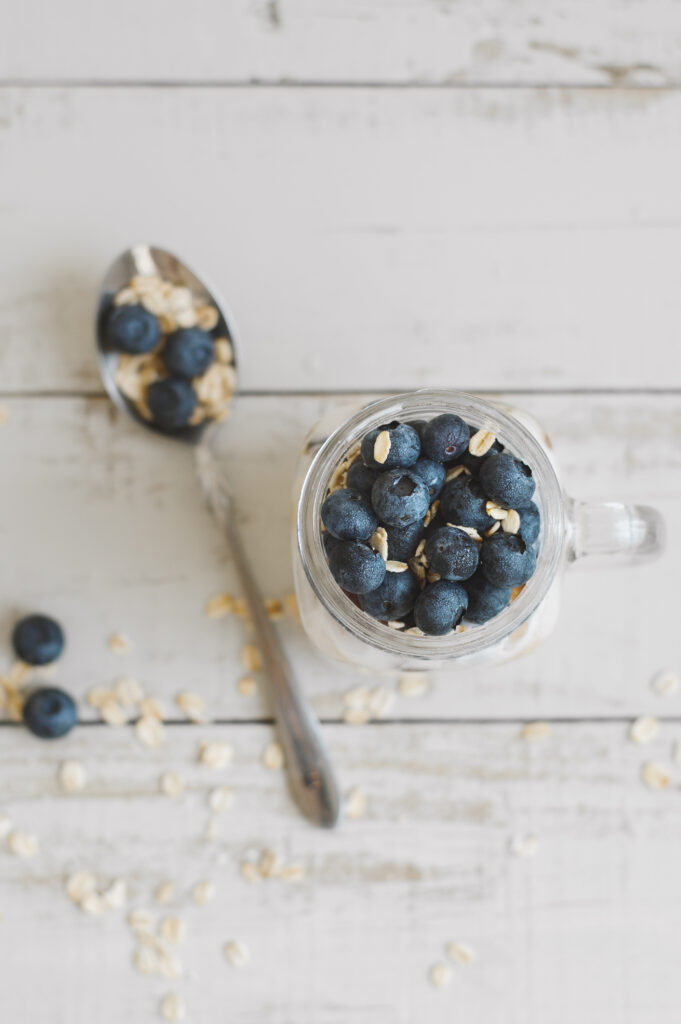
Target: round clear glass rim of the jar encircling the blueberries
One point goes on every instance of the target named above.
(413, 405)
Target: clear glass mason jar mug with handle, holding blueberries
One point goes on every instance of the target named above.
(571, 531)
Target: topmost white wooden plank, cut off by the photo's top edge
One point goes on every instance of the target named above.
(360, 41)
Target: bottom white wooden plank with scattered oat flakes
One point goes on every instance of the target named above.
(556, 935)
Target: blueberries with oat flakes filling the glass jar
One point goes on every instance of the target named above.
(435, 524)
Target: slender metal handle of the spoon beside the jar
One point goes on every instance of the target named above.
(311, 774)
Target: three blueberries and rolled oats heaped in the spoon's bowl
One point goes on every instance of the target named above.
(176, 376)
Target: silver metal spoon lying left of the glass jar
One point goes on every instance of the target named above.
(311, 775)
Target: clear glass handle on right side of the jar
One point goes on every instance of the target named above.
(614, 534)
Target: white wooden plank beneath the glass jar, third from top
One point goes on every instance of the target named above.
(104, 527)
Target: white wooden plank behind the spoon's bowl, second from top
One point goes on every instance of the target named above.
(495, 239)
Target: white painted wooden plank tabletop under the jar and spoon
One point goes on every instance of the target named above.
(484, 195)
